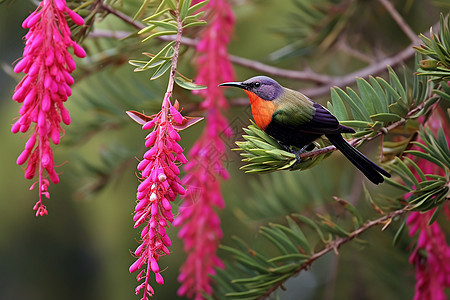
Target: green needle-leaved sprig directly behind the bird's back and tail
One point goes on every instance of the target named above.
(381, 103)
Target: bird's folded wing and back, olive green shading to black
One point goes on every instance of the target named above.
(299, 112)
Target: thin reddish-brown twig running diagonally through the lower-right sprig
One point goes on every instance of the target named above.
(334, 245)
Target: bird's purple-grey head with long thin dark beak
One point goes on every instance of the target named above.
(262, 86)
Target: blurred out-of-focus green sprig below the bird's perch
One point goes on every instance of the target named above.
(279, 194)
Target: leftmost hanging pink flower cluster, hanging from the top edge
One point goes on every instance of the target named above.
(44, 89)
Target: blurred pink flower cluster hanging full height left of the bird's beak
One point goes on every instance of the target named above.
(200, 223)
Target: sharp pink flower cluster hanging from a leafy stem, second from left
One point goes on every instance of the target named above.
(159, 187)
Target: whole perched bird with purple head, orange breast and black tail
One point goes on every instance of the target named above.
(295, 120)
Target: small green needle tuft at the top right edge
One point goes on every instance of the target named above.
(437, 49)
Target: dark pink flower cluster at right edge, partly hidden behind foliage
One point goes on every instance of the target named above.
(431, 256)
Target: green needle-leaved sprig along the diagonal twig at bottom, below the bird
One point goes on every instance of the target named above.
(286, 251)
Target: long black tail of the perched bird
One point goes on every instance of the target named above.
(365, 165)
